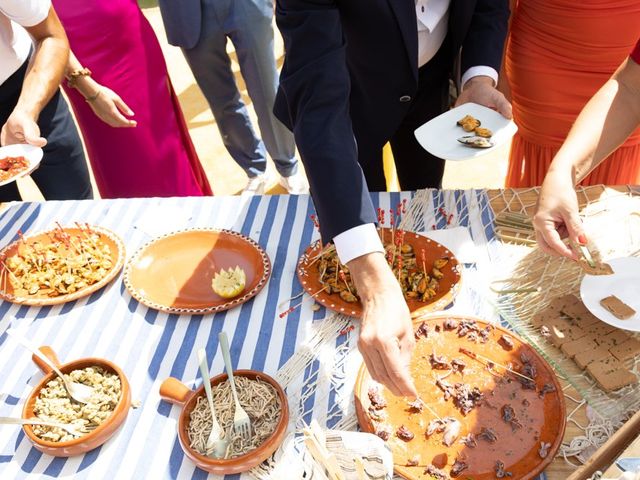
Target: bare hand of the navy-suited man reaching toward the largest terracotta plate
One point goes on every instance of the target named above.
(386, 334)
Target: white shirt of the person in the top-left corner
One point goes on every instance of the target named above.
(15, 42)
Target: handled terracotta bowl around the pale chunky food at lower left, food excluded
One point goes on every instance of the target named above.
(92, 440)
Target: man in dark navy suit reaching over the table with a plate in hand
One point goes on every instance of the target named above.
(358, 74)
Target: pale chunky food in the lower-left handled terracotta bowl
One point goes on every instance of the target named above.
(54, 404)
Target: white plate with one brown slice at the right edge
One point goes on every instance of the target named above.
(615, 298)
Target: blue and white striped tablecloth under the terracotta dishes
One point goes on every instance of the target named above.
(151, 346)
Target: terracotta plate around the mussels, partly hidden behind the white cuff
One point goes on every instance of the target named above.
(309, 276)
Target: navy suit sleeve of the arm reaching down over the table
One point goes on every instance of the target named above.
(313, 101)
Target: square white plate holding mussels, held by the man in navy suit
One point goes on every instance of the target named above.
(465, 132)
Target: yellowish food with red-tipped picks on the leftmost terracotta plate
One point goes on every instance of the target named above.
(64, 264)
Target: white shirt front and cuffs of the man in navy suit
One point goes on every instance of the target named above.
(433, 19)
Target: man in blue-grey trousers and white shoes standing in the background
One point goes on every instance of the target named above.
(201, 28)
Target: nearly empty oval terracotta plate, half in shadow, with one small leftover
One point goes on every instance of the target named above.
(173, 273)
